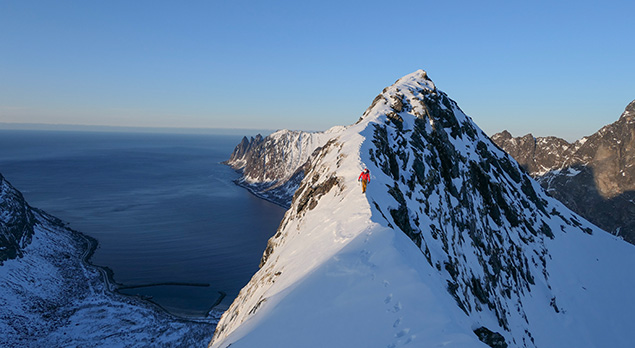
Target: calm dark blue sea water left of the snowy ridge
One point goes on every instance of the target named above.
(161, 206)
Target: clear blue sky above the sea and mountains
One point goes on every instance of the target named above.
(562, 68)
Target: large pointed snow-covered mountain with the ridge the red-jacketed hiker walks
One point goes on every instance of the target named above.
(452, 245)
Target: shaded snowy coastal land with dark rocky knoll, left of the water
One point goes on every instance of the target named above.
(50, 297)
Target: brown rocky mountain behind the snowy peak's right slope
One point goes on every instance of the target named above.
(594, 176)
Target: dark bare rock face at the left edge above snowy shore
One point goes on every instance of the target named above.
(16, 222)
